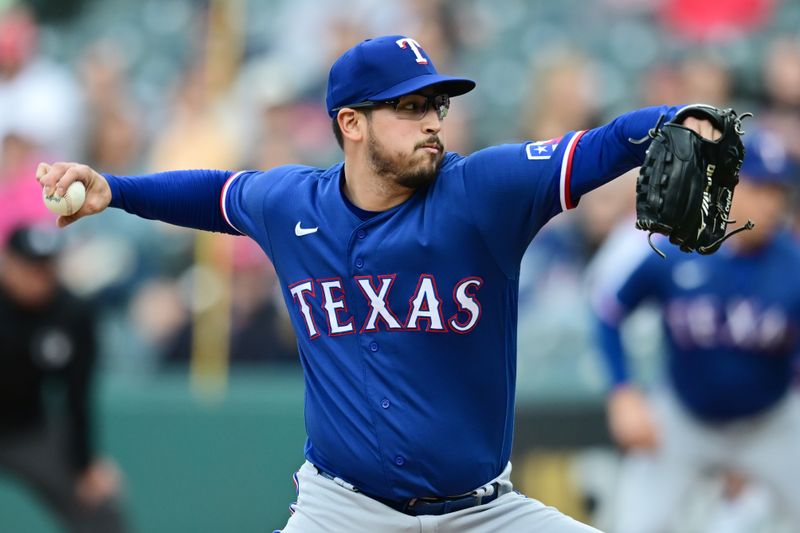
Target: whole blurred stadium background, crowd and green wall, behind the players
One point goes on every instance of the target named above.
(200, 396)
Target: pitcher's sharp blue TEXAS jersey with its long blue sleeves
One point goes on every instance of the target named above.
(406, 319)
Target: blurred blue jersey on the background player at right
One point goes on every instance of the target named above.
(731, 323)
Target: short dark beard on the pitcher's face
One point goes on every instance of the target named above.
(399, 169)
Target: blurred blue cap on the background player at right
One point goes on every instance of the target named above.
(766, 159)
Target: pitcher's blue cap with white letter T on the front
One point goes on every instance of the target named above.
(384, 68)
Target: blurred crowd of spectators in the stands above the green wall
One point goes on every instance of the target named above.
(133, 87)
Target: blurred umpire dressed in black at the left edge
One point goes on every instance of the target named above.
(47, 357)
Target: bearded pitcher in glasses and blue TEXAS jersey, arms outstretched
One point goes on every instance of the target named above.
(400, 270)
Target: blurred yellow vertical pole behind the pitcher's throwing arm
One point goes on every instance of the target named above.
(211, 329)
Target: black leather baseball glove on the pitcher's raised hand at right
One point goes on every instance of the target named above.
(685, 185)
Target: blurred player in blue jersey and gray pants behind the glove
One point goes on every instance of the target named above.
(732, 333)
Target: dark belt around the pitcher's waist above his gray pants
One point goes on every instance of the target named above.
(427, 505)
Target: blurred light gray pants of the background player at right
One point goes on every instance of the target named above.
(764, 448)
